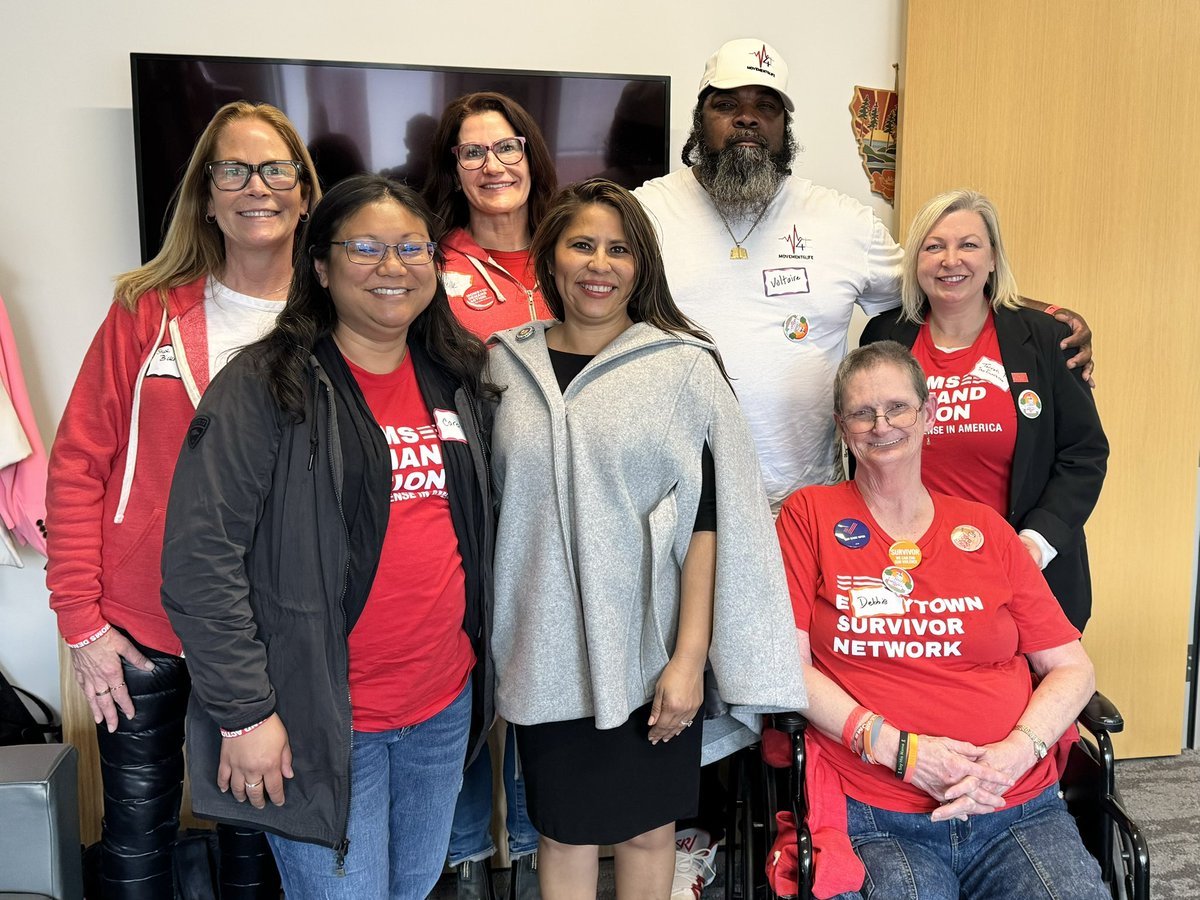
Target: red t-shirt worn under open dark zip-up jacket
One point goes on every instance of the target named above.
(410, 657)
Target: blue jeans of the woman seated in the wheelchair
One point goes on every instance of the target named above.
(1031, 851)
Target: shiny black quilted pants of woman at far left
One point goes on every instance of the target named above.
(142, 767)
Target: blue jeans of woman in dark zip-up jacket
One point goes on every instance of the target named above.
(404, 784)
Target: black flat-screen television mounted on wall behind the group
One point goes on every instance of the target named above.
(359, 117)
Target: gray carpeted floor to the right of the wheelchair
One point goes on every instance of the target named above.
(1163, 796)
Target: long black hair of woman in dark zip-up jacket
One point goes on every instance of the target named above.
(310, 315)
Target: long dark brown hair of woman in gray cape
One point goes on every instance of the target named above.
(651, 299)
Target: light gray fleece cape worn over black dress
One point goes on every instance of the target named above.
(599, 491)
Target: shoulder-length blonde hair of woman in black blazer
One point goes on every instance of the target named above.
(1001, 287)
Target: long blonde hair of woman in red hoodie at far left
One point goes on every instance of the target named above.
(194, 247)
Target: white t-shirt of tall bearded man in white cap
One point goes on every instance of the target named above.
(781, 316)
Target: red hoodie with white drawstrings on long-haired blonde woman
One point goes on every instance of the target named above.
(139, 388)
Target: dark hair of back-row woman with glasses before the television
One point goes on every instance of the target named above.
(442, 191)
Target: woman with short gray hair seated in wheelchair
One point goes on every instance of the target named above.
(921, 617)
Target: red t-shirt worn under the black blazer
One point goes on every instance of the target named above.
(970, 448)
